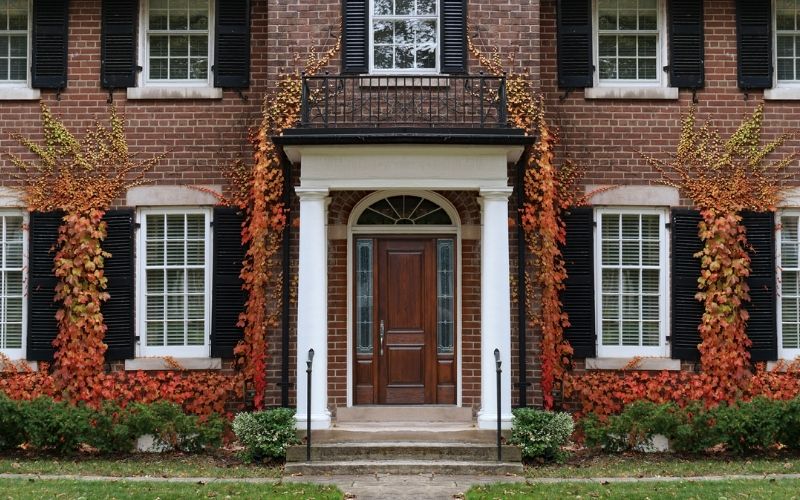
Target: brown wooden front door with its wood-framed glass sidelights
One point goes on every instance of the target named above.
(408, 363)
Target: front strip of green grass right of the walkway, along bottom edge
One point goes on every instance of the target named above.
(759, 488)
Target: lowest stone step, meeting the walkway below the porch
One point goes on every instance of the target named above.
(403, 467)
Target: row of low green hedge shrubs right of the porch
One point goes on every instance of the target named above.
(741, 427)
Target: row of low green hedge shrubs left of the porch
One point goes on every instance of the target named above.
(48, 425)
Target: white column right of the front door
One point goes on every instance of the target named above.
(495, 307)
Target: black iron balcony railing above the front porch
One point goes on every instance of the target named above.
(420, 102)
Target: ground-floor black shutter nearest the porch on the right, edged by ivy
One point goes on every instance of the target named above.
(578, 294)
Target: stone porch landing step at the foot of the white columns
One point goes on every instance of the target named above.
(404, 432)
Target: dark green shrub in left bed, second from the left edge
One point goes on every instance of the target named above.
(57, 426)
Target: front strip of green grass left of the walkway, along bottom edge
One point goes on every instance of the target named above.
(62, 489)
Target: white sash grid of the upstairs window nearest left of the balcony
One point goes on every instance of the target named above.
(145, 50)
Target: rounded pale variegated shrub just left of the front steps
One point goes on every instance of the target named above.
(265, 434)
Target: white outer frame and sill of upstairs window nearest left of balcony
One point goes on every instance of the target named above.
(172, 89)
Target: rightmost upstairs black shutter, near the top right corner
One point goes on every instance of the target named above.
(754, 44)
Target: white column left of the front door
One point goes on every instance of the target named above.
(312, 307)
